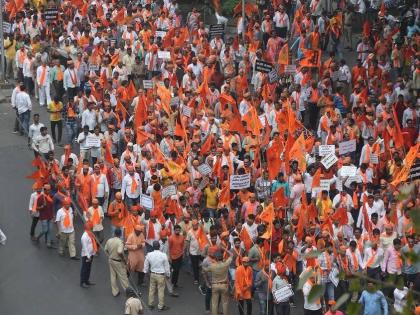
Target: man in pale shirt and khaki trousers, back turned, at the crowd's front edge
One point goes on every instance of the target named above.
(158, 265)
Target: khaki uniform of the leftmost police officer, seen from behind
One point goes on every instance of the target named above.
(114, 247)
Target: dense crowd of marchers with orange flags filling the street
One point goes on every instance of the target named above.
(271, 161)
